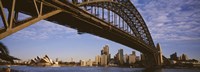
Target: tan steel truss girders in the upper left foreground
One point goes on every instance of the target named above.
(12, 24)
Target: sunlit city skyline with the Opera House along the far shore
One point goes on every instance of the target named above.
(119, 55)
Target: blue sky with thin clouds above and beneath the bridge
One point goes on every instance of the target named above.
(175, 24)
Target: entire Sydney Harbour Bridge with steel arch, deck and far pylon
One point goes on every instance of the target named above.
(116, 20)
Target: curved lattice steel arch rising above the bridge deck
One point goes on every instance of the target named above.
(127, 11)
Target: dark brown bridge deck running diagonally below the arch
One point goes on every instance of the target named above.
(74, 17)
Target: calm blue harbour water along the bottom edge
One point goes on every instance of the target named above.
(93, 69)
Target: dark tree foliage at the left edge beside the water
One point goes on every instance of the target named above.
(4, 54)
